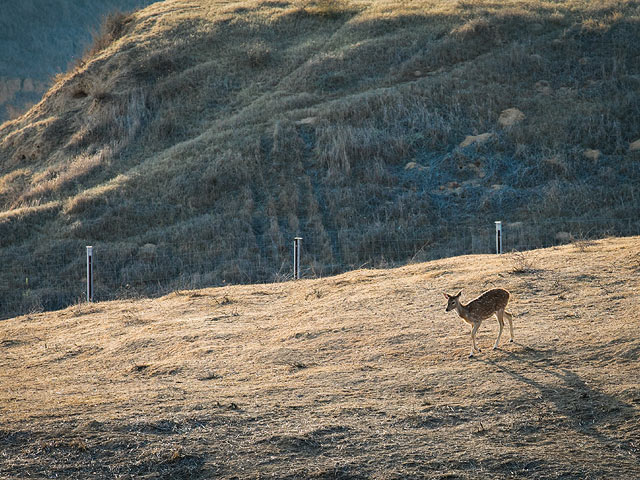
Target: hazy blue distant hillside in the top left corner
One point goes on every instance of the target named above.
(41, 39)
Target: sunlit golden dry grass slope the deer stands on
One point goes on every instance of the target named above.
(362, 375)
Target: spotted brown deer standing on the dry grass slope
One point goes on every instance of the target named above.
(474, 312)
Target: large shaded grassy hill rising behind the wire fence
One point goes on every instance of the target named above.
(196, 139)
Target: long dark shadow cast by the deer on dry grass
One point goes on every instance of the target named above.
(582, 407)
